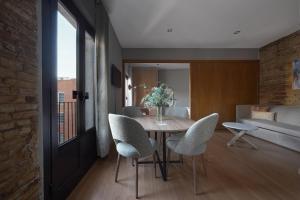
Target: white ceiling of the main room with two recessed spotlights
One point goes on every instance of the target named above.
(202, 23)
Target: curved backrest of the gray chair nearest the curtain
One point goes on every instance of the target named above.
(128, 130)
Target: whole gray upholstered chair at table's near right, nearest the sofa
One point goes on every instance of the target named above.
(194, 141)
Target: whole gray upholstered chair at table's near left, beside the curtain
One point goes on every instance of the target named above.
(131, 142)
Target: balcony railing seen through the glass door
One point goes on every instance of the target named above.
(67, 121)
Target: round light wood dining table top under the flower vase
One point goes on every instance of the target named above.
(170, 124)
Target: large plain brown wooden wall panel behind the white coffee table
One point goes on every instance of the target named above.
(218, 86)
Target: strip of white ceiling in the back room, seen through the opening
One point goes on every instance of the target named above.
(164, 66)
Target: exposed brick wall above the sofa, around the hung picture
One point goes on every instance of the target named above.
(276, 75)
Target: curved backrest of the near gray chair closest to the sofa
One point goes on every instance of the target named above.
(195, 139)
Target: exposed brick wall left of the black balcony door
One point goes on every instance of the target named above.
(19, 77)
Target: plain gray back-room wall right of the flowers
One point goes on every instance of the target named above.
(178, 80)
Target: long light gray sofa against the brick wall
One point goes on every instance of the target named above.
(284, 131)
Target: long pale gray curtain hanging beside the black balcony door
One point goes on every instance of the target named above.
(102, 81)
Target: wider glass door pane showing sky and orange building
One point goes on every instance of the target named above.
(66, 75)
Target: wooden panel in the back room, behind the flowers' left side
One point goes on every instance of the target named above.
(140, 76)
